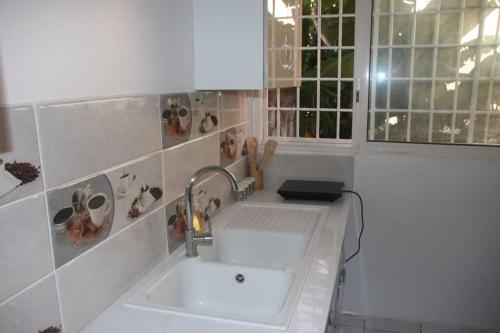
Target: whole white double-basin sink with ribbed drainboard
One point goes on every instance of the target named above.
(253, 273)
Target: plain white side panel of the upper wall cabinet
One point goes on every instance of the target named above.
(228, 44)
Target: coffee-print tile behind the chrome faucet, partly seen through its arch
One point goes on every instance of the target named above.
(208, 194)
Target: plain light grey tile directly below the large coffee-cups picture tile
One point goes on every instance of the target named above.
(96, 279)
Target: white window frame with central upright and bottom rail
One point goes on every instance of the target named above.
(359, 143)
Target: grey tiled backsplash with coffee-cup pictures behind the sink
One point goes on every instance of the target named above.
(114, 172)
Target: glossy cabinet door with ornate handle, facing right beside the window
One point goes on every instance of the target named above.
(283, 41)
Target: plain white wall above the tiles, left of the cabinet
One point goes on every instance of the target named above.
(74, 49)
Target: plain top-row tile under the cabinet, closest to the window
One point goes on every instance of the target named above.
(233, 108)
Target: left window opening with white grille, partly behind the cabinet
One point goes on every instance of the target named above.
(321, 108)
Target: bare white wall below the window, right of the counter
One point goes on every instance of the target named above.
(430, 250)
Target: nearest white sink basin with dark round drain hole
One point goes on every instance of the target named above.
(211, 288)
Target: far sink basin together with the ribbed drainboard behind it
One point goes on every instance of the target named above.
(274, 237)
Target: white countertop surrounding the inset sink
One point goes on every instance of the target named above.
(312, 309)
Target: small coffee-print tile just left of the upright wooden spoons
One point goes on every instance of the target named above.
(233, 145)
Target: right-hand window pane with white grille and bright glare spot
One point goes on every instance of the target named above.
(435, 72)
